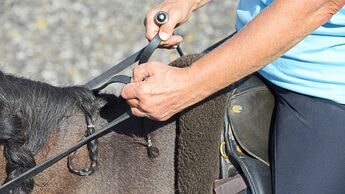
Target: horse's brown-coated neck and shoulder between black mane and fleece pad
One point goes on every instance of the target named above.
(123, 167)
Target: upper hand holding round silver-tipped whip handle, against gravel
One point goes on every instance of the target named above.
(179, 12)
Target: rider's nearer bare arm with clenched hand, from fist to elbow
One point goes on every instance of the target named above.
(168, 90)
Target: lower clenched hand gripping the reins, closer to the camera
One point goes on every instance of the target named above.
(159, 91)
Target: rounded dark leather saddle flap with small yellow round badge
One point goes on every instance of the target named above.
(250, 112)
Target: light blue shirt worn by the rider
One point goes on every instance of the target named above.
(315, 66)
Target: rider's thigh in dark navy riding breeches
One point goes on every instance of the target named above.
(308, 145)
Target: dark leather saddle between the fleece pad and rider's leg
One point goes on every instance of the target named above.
(247, 130)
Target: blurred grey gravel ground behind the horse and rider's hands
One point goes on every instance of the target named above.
(66, 42)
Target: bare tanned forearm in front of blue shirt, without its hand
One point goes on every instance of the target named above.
(272, 33)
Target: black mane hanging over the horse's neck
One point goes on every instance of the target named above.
(29, 112)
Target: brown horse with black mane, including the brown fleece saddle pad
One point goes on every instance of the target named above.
(38, 120)
